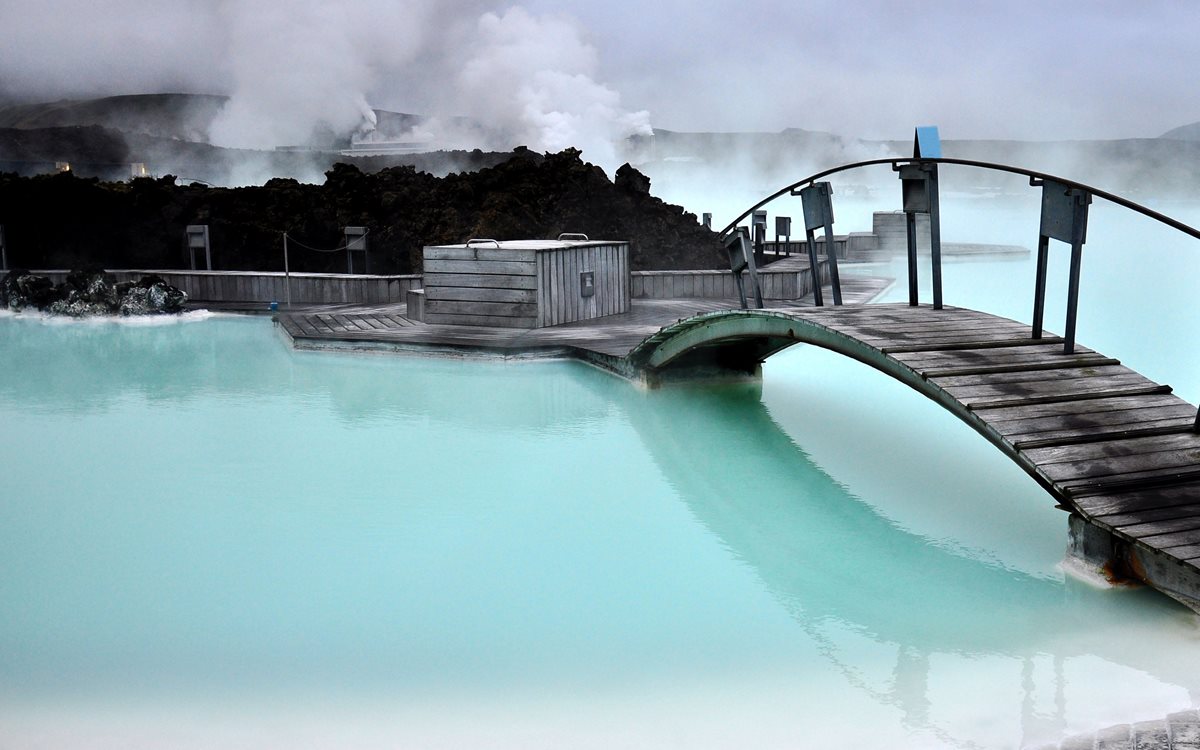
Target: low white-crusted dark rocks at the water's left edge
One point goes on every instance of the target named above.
(91, 292)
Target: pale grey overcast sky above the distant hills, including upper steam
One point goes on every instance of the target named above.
(873, 69)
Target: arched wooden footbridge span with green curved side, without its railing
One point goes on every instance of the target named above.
(1114, 448)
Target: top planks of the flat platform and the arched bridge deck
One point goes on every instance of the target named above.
(1107, 441)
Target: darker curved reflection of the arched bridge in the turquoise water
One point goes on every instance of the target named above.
(937, 610)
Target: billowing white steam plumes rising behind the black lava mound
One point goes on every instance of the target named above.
(307, 74)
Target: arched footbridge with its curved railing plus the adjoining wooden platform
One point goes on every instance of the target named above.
(1115, 449)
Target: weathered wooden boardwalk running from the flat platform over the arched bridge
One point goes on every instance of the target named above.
(1108, 445)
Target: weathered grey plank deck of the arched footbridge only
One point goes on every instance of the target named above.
(1108, 443)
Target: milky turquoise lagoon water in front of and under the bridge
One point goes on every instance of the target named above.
(211, 541)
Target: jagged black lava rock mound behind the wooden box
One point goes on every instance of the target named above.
(63, 221)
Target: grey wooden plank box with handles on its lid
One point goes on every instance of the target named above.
(525, 284)
